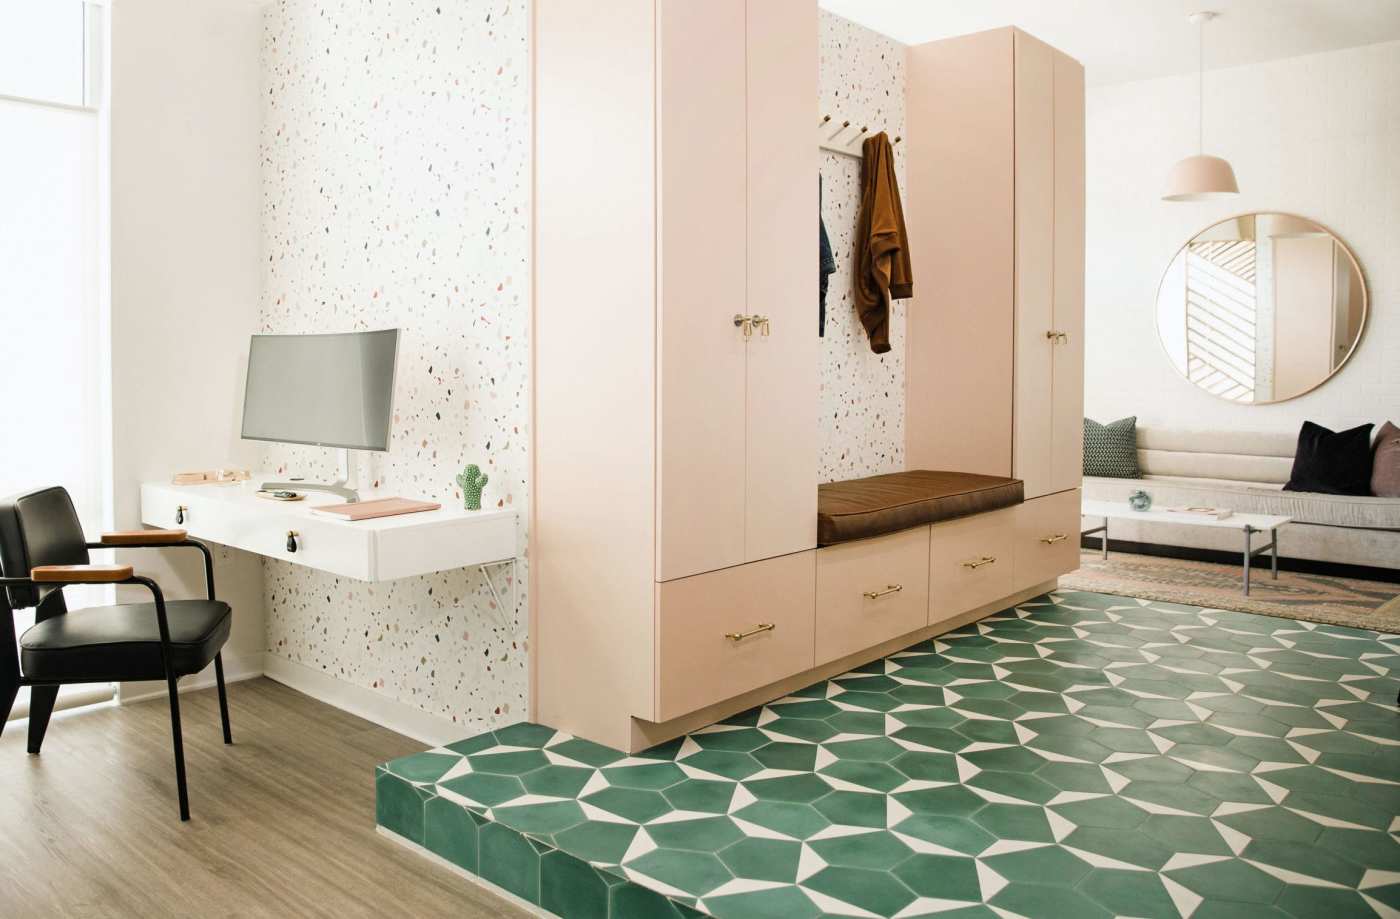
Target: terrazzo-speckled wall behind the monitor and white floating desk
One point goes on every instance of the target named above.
(397, 194)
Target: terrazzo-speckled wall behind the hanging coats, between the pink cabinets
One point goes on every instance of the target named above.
(863, 394)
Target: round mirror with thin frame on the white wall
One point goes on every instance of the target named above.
(1262, 308)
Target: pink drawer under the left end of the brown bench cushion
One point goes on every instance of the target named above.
(870, 592)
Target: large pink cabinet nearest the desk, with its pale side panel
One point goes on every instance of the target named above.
(675, 190)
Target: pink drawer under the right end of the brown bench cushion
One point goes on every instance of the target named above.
(969, 564)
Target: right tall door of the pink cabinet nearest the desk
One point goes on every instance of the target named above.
(782, 284)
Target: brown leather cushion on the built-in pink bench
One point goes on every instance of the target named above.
(877, 505)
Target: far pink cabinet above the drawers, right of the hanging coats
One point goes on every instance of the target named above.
(996, 208)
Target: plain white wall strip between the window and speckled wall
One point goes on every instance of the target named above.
(185, 268)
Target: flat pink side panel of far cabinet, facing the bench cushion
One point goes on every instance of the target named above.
(961, 212)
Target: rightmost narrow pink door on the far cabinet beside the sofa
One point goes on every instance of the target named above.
(1067, 441)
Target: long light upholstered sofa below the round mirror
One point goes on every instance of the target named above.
(1247, 471)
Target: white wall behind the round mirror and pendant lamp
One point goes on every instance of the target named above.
(1317, 137)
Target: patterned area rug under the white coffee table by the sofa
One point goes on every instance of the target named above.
(1294, 596)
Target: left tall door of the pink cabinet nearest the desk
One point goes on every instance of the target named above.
(702, 211)
